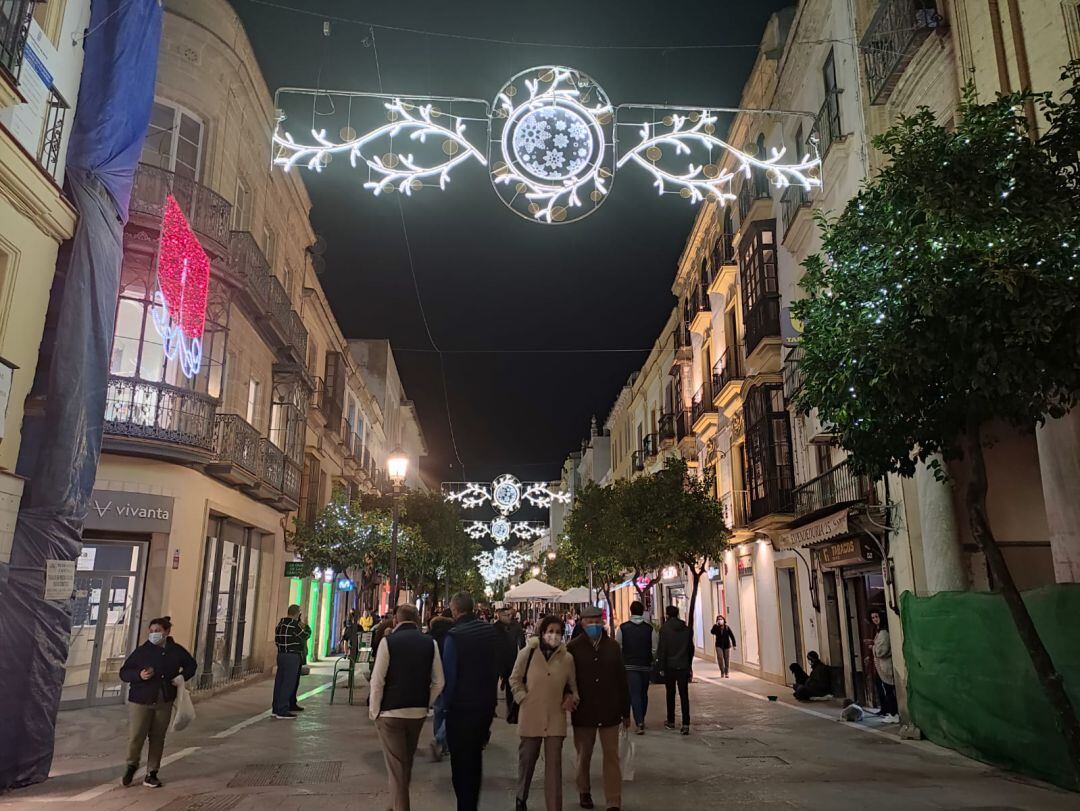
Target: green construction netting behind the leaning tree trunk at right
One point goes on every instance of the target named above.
(971, 685)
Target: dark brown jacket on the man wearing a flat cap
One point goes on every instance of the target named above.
(603, 691)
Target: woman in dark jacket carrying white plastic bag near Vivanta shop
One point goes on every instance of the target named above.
(152, 673)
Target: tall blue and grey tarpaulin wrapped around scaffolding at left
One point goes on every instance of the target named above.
(63, 439)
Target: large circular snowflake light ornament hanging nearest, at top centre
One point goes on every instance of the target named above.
(552, 145)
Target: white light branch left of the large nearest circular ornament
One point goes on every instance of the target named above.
(401, 171)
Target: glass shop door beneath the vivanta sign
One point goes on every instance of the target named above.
(105, 623)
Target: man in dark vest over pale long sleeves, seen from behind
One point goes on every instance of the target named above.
(407, 680)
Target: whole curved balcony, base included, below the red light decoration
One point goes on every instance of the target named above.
(159, 421)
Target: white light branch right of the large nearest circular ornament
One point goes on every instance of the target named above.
(709, 179)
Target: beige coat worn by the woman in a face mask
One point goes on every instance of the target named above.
(539, 686)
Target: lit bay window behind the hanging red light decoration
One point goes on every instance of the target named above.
(138, 349)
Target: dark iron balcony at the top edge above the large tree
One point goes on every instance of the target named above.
(892, 42)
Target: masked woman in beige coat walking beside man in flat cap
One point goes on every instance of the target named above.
(546, 691)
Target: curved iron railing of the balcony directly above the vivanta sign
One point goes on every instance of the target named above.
(160, 412)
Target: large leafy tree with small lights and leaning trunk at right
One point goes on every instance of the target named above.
(946, 299)
